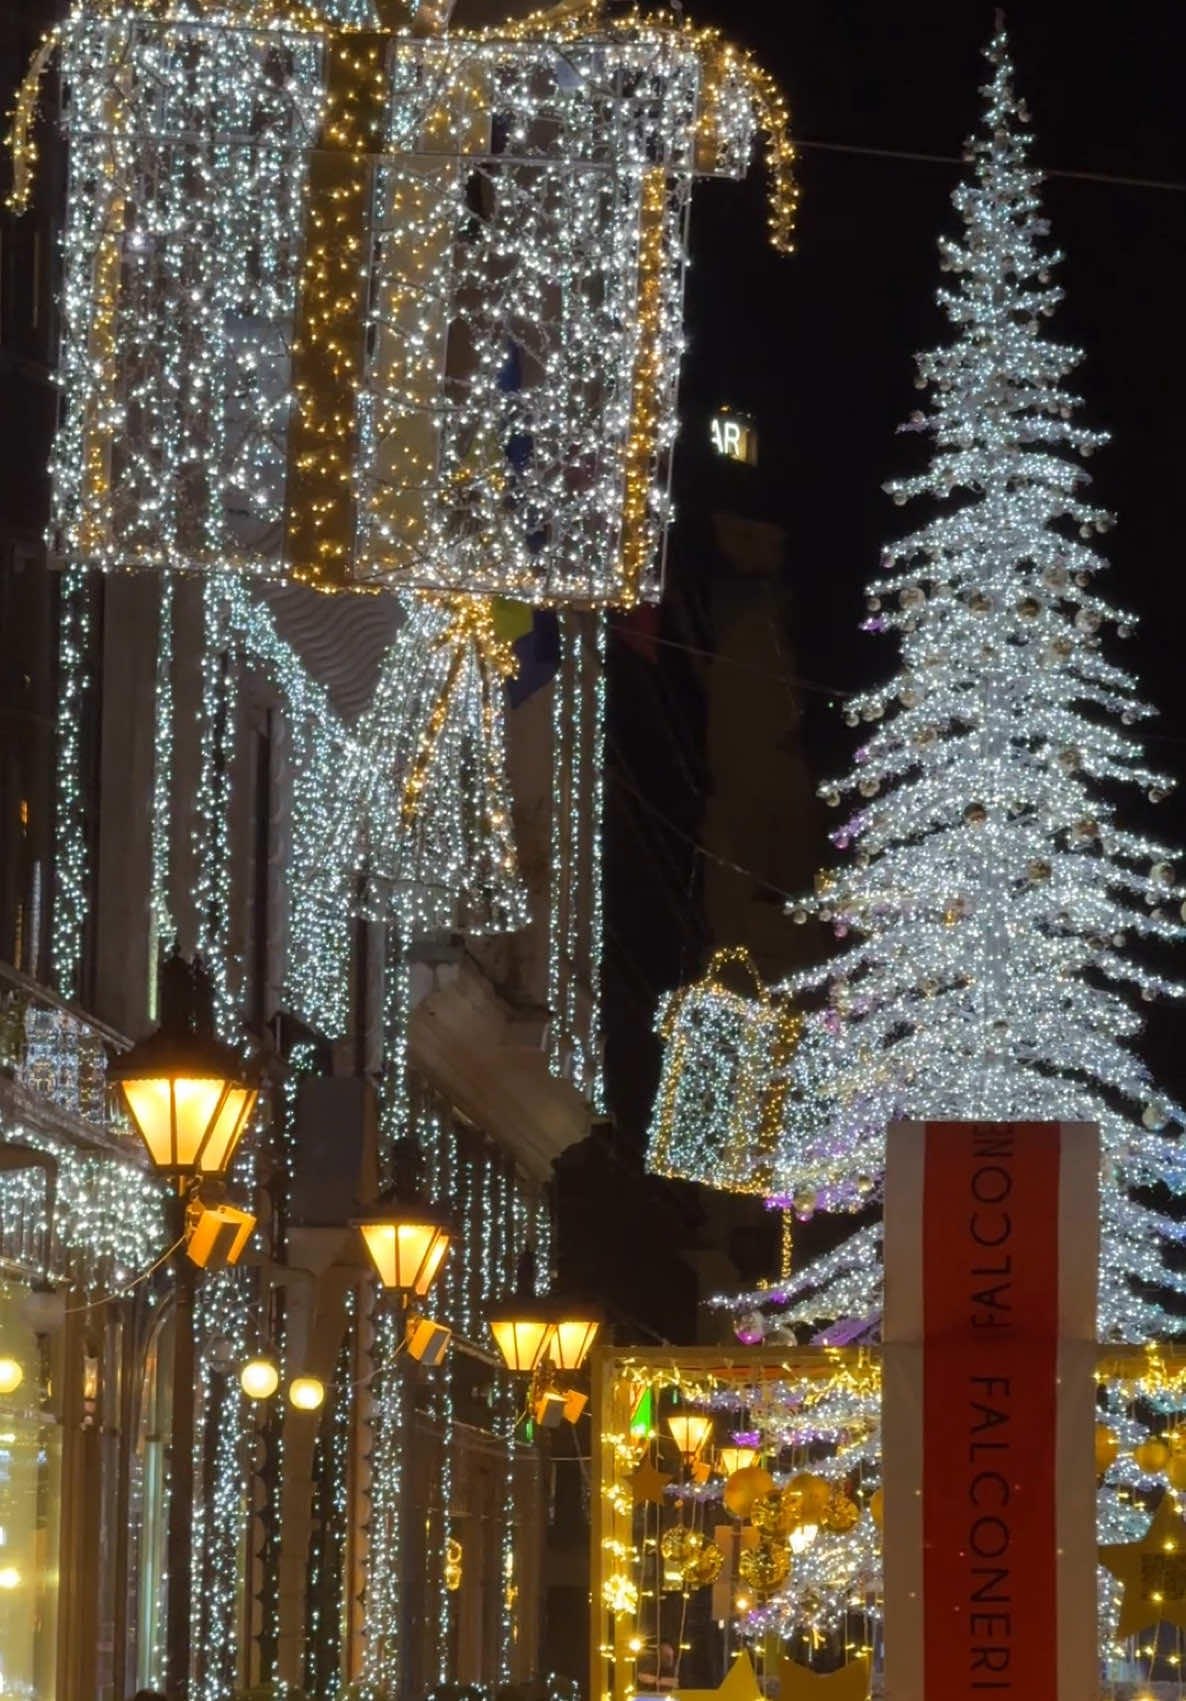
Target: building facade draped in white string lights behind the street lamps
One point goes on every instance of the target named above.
(176, 766)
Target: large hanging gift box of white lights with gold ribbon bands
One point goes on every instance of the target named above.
(382, 310)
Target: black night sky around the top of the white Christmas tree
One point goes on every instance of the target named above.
(819, 346)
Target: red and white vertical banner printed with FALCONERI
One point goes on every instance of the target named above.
(991, 1282)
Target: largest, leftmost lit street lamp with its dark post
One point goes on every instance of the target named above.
(190, 1100)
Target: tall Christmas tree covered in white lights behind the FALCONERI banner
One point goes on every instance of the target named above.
(993, 899)
